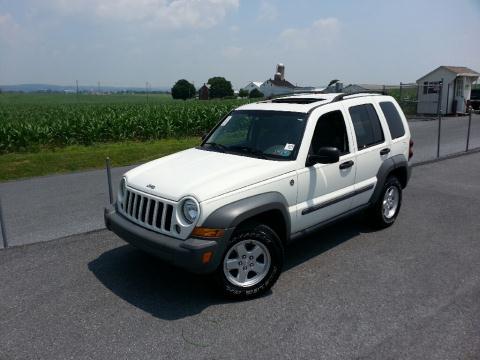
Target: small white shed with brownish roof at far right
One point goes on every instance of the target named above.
(456, 89)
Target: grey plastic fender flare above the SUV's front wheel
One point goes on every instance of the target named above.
(231, 215)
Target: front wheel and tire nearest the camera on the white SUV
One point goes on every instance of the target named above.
(263, 250)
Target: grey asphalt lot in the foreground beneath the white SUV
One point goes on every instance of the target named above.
(411, 291)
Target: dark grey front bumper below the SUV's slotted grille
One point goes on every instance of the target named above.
(186, 254)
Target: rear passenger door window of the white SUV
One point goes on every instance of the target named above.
(368, 129)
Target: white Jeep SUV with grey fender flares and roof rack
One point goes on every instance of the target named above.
(268, 173)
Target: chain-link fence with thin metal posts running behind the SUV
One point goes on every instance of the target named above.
(48, 199)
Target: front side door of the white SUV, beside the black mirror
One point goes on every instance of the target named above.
(325, 190)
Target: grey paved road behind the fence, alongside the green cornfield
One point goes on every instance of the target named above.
(51, 207)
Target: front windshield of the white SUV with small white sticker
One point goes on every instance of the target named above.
(274, 135)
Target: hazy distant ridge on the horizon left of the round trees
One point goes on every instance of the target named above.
(72, 88)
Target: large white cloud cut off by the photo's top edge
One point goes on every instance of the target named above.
(168, 14)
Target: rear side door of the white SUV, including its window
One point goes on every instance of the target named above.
(372, 146)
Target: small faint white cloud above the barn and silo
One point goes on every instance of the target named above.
(323, 32)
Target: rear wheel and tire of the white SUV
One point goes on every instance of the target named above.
(385, 211)
